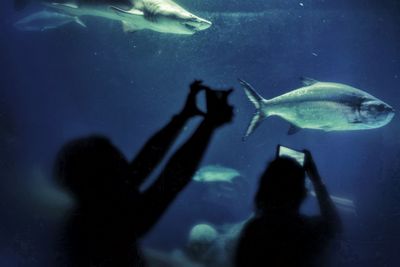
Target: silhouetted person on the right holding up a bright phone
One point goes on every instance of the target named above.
(279, 235)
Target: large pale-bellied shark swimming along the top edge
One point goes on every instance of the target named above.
(157, 15)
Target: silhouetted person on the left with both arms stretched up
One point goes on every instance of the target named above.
(111, 214)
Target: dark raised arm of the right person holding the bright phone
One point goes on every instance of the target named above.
(327, 207)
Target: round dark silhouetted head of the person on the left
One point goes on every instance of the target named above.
(90, 168)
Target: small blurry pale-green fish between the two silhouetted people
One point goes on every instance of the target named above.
(215, 173)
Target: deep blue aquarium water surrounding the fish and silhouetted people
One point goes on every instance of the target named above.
(70, 82)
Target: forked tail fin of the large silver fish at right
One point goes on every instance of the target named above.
(259, 102)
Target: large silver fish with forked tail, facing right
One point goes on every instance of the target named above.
(323, 106)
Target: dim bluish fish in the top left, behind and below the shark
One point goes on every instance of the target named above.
(46, 20)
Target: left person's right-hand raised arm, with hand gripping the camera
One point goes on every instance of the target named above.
(183, 164)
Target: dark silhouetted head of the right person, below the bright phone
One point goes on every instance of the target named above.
(282, 186)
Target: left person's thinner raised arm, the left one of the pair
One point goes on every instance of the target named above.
(157, 146)
